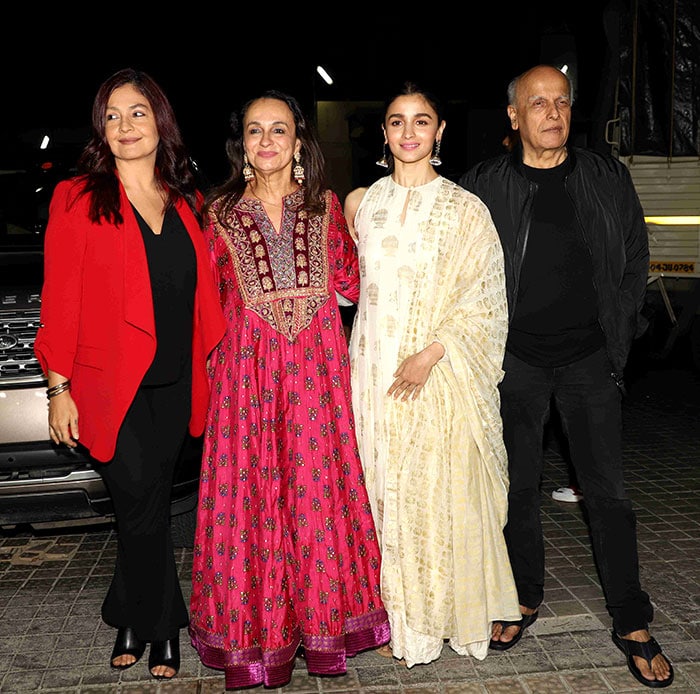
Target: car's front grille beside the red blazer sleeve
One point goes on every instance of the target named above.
(19, 321)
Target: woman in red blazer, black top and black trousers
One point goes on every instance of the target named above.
(129, 317)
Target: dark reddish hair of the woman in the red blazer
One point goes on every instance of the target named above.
(96, 164)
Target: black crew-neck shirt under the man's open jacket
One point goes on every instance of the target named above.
(556, 313)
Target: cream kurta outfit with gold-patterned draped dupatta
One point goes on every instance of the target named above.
(435, 467)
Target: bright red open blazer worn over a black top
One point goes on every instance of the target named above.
(97, 324)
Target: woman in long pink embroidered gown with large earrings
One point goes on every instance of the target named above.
(285, 553)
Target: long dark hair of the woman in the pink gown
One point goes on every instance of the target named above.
(312, 159)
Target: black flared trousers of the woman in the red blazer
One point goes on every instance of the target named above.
(145, 592)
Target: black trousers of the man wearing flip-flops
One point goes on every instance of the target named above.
(589, 405)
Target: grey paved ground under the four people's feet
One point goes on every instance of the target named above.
(52, 586)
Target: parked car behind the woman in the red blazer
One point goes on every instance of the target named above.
(41, 484)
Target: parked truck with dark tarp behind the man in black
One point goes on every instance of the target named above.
(650, 108)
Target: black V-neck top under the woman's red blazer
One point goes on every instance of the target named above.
(172, 265)
